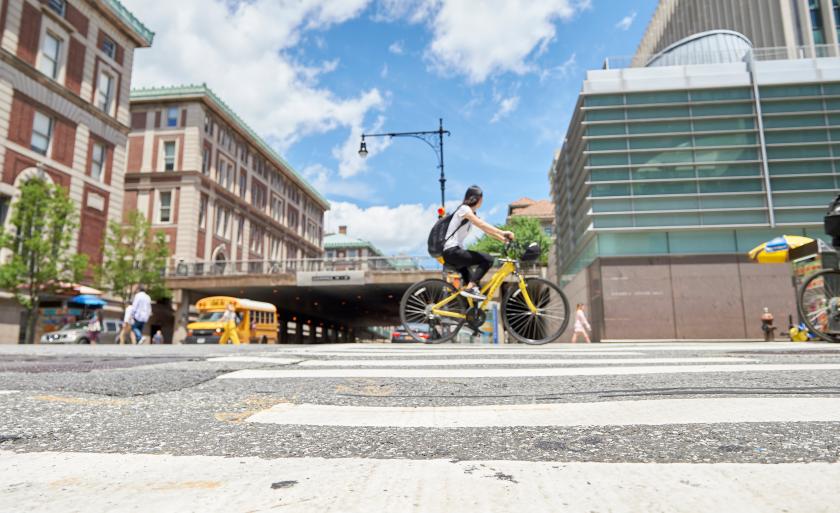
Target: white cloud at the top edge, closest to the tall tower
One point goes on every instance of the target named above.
(480, 39)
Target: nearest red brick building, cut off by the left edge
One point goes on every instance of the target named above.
(65, 75)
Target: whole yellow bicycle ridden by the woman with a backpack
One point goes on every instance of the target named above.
(533, 310)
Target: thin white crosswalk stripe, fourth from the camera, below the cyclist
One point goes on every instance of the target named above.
(513, 361)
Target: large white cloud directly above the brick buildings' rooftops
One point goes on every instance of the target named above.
(242, 51)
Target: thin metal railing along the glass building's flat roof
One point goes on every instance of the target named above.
(705, 56)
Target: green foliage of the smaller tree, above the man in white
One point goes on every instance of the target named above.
(133, 255)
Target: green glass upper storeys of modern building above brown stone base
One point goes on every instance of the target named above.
(697, 159)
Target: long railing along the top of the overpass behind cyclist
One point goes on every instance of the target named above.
(183, 269)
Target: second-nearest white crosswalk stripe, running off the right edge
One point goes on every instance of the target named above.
(654, 412)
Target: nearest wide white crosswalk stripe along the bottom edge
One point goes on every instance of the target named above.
(165, 483)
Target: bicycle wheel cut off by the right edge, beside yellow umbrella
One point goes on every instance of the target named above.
(819, 304)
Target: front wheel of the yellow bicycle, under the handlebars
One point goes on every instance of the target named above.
(540, 327)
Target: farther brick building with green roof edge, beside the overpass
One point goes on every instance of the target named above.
(221, 194)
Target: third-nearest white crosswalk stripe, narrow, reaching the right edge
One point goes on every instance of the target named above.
(528, 372)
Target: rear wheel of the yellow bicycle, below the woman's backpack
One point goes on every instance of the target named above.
(418, 319)
